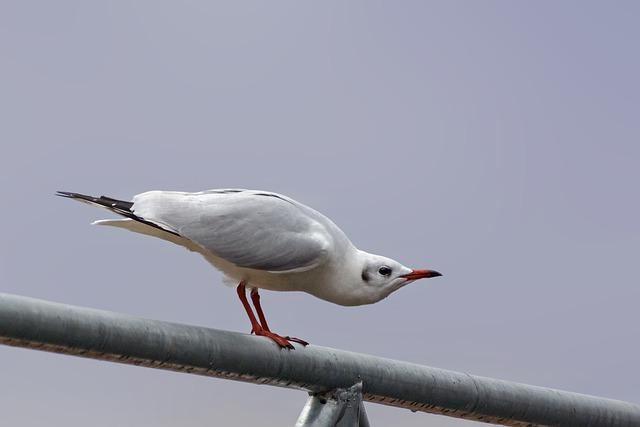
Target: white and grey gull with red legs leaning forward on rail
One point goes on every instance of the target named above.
(262, 240)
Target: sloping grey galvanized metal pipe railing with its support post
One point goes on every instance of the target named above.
(60, 328)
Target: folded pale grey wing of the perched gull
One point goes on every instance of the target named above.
(249, 229)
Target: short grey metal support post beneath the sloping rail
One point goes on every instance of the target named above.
(336, 408)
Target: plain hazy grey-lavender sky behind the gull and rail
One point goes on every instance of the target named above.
(497, 142)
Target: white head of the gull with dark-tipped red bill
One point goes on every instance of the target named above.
(381, 276)
